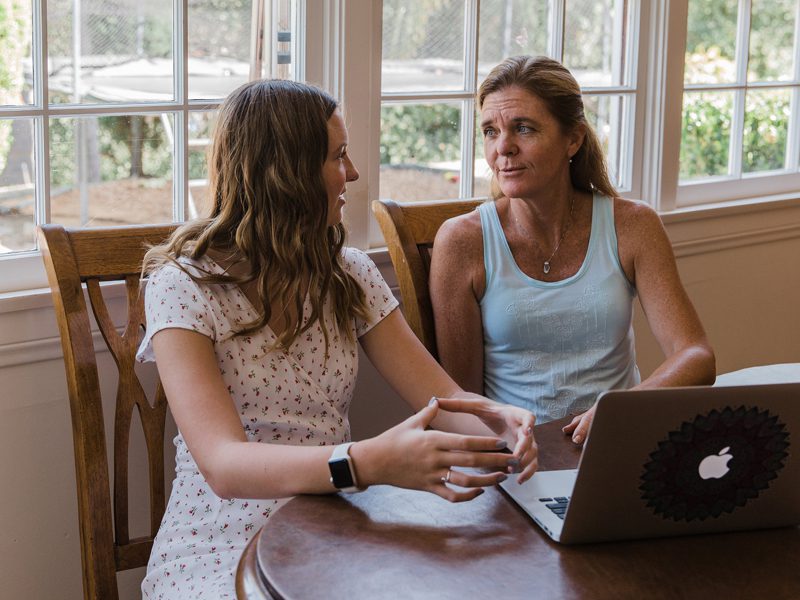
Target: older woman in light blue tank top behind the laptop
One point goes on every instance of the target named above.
(533, 292)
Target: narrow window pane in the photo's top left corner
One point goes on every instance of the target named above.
(15, 49)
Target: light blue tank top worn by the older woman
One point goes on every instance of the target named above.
(553, 347)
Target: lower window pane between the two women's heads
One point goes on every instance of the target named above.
(420, 151)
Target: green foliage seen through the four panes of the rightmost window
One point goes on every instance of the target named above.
(710, 58)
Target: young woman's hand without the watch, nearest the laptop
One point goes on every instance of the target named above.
(511, 423)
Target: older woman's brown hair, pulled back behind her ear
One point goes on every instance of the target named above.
(553, 84)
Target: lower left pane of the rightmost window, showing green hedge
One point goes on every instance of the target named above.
(705, 137)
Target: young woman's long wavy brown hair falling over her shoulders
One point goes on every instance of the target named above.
(269, 207)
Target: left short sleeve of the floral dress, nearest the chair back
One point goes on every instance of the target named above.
(173, 300)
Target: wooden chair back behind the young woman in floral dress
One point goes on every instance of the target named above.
(74, 257)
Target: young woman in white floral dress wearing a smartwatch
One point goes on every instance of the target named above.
(253, 316)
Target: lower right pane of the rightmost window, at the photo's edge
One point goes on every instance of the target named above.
(766, 125)
